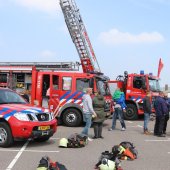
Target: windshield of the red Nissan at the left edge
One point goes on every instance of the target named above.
(10, 97)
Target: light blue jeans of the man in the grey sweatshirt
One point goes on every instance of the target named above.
(87, 118)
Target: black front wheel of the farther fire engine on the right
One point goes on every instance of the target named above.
(131, 112)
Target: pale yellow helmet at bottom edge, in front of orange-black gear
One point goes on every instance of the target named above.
(107, 165)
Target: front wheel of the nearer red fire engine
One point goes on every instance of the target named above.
(72, 117)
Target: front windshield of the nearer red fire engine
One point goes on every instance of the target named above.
(102, 86)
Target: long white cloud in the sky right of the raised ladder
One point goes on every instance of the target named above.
(114, 36)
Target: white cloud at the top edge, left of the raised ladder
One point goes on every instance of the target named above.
(48, 6)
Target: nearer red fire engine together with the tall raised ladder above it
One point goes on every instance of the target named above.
(66, 88)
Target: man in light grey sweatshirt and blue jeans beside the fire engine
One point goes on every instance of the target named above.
(88, 111)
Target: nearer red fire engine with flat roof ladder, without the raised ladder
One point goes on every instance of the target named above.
(66, 87)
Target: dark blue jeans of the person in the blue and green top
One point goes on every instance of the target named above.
(118, 113)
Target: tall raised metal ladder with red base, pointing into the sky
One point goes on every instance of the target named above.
(79, 36)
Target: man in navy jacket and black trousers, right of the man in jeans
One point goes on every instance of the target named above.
(160, 110)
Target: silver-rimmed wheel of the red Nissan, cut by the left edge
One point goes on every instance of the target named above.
(6, 138)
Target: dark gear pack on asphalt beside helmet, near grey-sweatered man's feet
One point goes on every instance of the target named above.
(77, 140)
